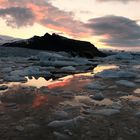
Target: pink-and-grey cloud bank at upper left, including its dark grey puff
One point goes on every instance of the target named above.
(27, 12)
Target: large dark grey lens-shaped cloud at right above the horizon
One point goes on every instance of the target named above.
(116, 31)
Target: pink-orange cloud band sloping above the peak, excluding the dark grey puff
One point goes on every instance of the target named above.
(47, 15)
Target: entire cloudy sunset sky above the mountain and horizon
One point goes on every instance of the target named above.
(105, 23)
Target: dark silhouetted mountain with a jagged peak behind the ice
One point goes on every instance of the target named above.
(56, 42)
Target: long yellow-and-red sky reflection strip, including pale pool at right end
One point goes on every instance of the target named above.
(70, 81)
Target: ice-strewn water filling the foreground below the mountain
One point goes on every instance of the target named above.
(45, 95)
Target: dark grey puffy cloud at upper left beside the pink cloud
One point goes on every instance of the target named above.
(17, 16)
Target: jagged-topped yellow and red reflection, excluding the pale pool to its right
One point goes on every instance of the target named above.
(70, 81)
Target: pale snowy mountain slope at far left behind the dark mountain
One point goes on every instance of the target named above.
(5, 39)
